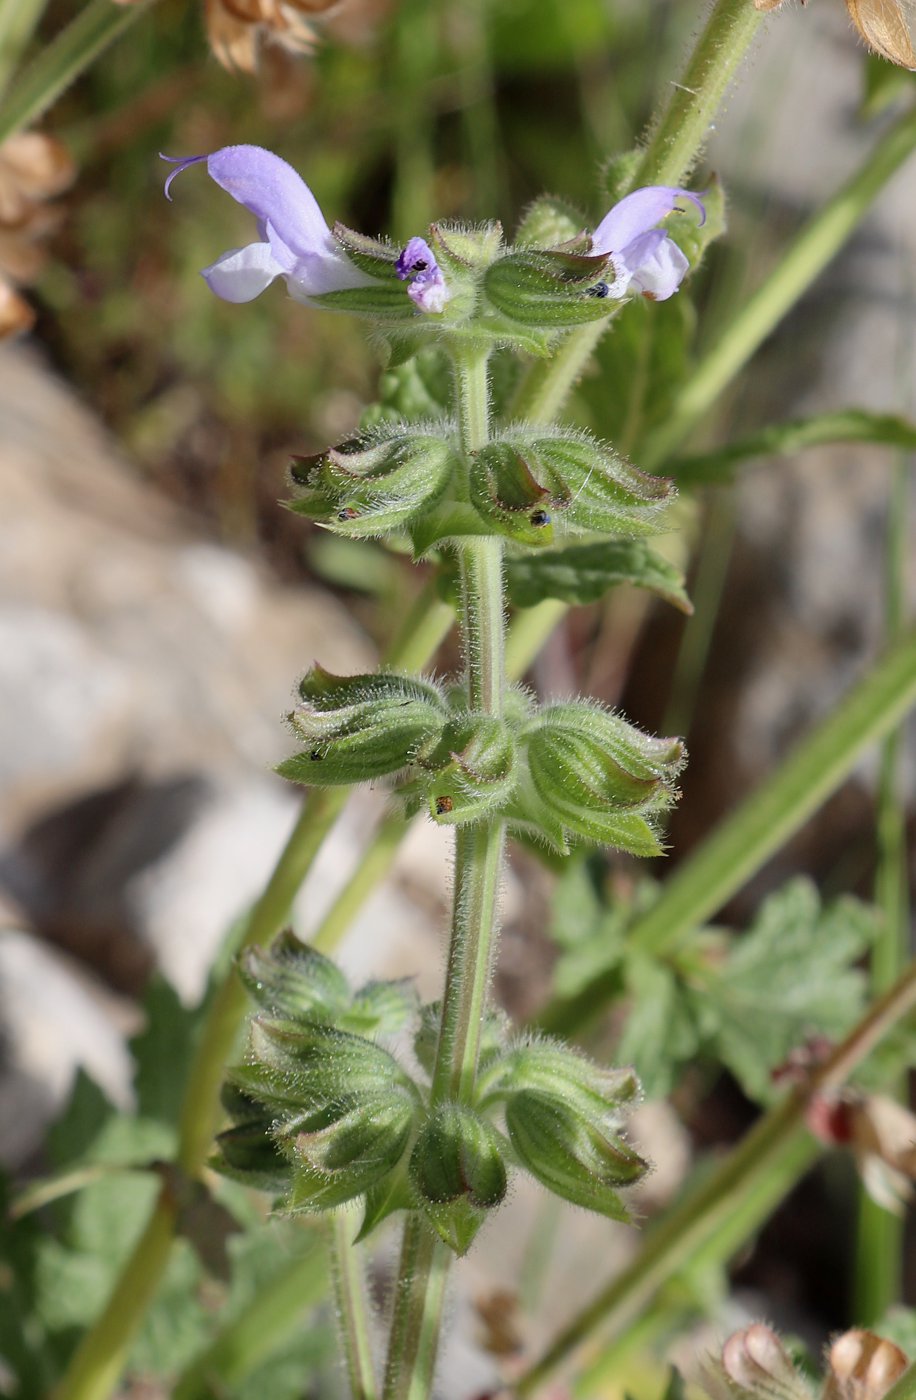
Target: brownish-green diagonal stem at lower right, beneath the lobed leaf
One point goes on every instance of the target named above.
(709, 1207)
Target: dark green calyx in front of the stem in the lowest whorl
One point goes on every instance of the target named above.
(457, 1174)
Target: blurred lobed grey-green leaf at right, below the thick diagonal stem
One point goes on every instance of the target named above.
(791, 976)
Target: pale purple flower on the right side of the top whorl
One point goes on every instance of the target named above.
(644, 255)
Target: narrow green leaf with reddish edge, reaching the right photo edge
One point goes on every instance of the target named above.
(848, 426)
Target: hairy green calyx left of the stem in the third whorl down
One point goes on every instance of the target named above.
(361, 727)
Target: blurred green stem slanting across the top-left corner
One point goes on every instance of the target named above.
(62, 61)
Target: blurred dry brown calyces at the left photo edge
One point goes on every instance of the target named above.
(33, 170)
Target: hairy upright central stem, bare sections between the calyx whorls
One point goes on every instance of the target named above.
(476, 918)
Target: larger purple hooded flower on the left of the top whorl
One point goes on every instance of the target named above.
(296, 243)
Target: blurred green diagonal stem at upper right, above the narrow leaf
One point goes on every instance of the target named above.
(800, 267)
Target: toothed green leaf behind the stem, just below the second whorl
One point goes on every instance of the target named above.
(586, 573)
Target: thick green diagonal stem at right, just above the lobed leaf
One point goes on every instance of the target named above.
(749, 836)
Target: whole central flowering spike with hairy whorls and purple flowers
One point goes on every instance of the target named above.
(327, 1111)
